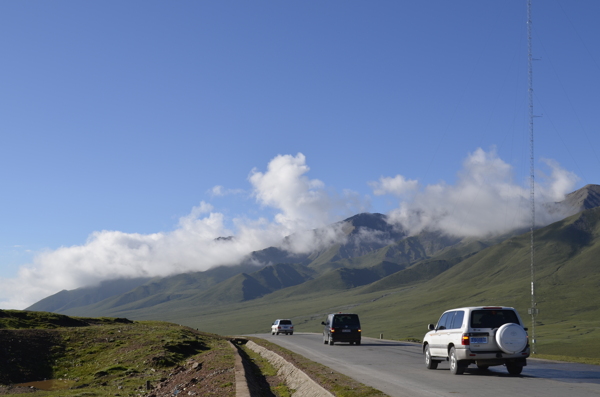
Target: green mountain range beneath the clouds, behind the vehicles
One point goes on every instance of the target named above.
(397, 282)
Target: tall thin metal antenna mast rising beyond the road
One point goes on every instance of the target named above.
(533, 310)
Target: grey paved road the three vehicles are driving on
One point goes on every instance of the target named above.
(398, 369)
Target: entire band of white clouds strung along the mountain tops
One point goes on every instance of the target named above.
(485, 200)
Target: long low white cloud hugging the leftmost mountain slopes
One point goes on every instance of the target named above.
(112, 254)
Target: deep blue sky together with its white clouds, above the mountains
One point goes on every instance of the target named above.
(124, 123)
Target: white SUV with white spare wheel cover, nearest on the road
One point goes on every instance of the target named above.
(484, 336)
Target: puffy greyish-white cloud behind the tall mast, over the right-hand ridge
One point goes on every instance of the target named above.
(484, 201)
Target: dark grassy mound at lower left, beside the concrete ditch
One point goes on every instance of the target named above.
(93, 357)
